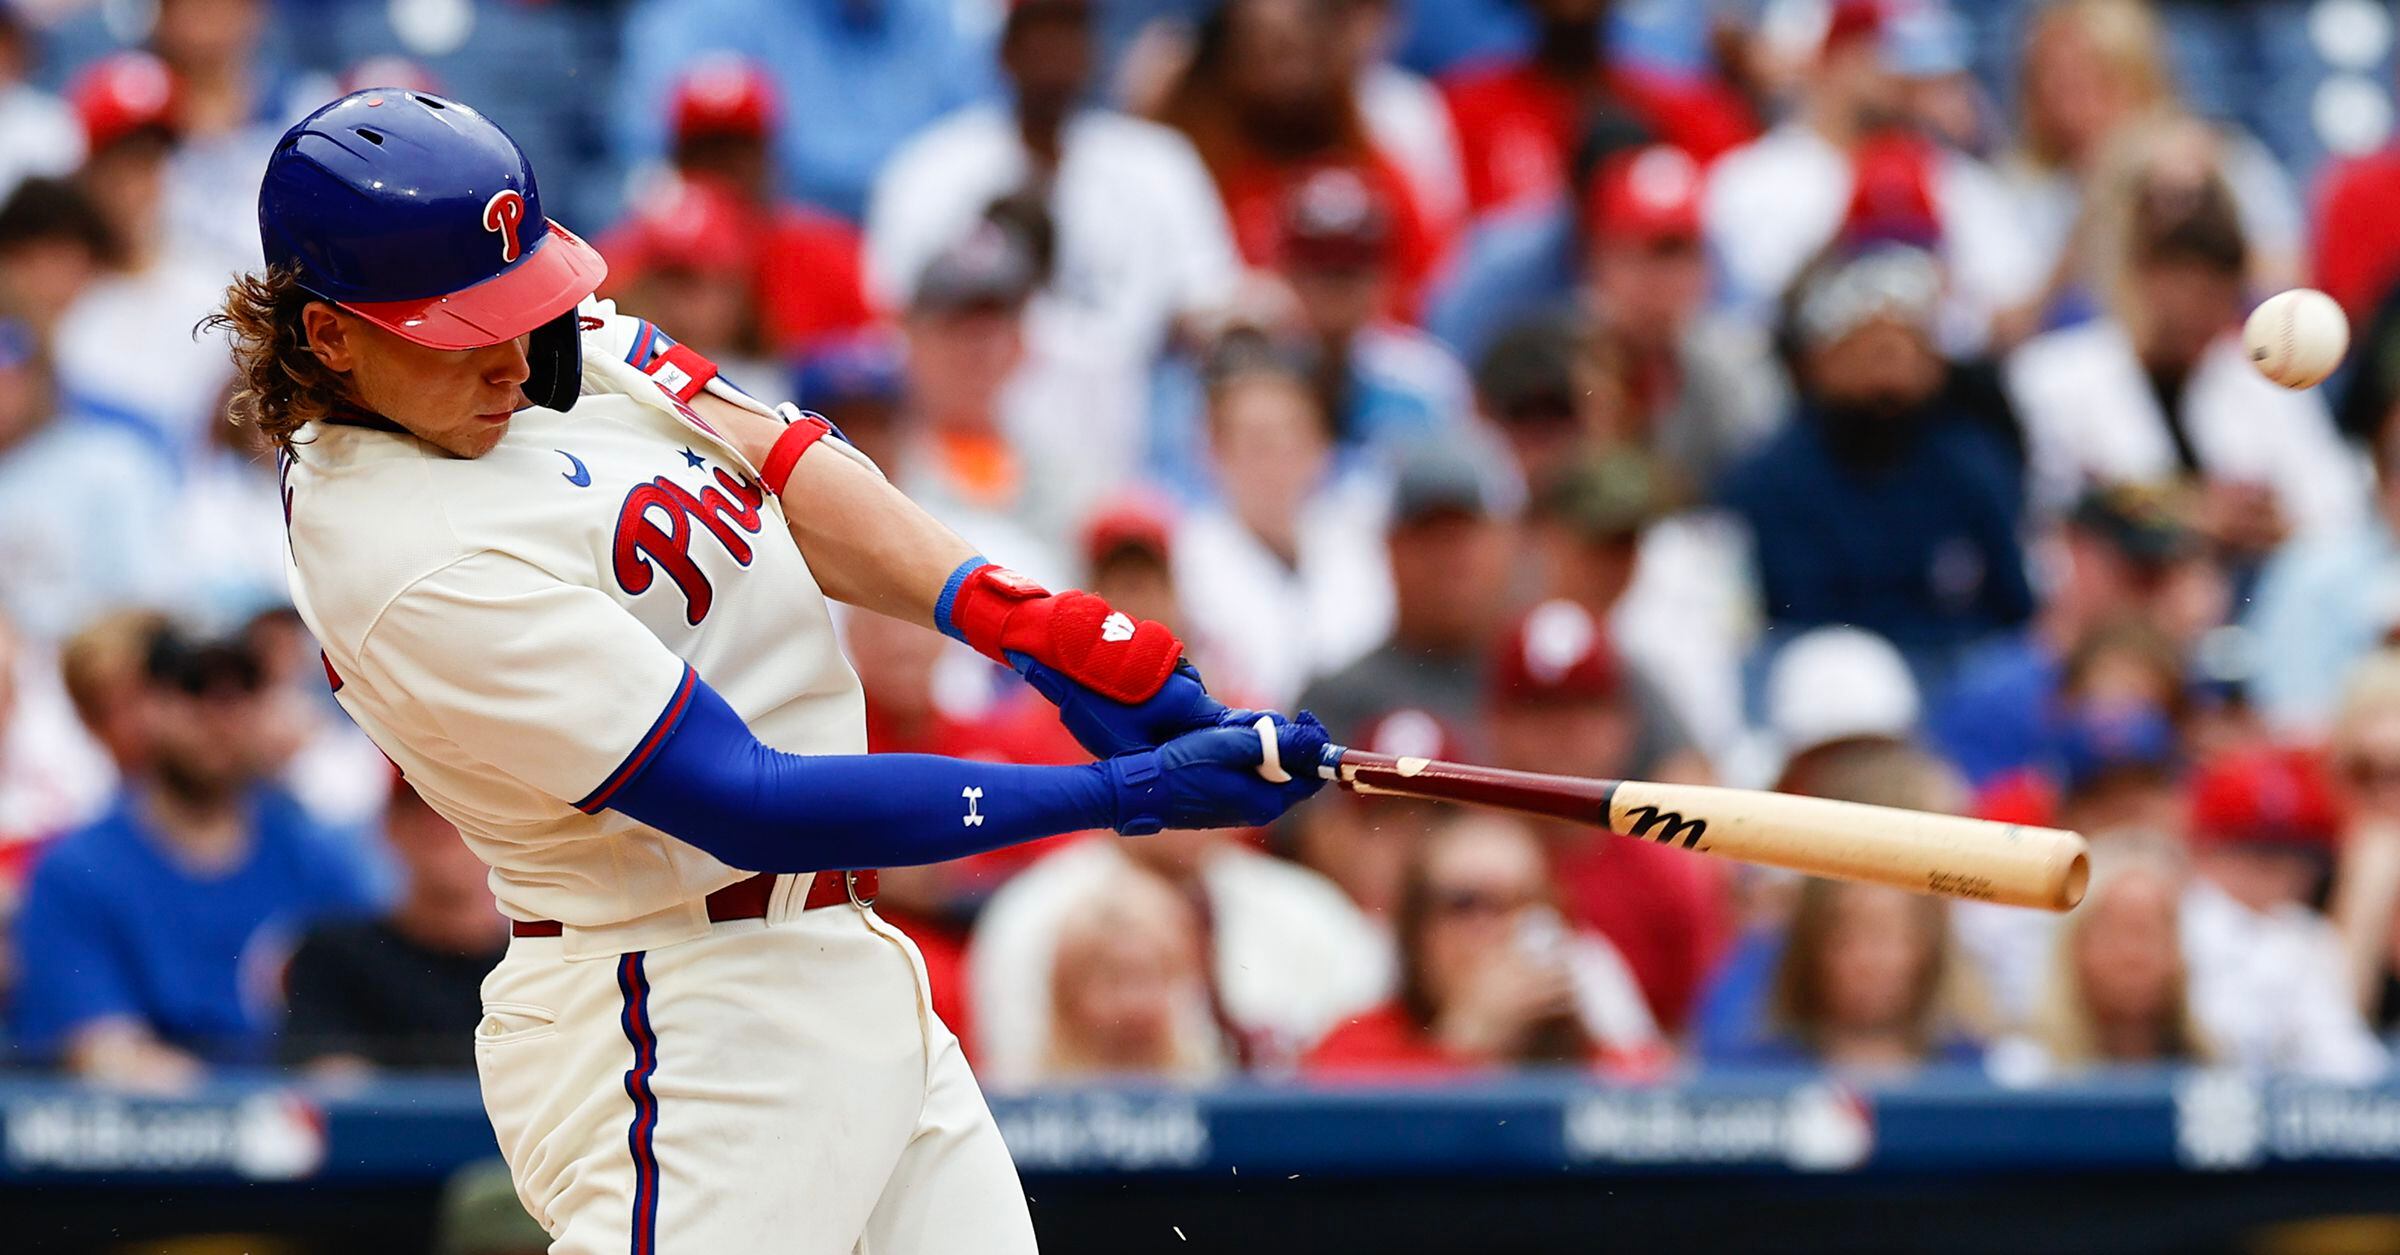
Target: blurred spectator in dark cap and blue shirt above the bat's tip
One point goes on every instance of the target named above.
(2123, 556)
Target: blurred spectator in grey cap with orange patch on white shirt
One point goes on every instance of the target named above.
(959, 455)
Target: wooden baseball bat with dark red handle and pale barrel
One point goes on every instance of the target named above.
(1955, 858)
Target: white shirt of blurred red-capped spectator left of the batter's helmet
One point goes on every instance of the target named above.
(126, 347)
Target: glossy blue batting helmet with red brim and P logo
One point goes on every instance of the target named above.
(421, 217)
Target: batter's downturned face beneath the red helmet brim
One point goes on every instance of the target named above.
(457, 400)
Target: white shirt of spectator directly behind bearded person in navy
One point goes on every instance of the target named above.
(1782, 198)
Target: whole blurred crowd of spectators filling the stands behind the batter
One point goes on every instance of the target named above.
(1818, 395)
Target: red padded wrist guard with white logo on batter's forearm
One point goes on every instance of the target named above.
(1009, 618)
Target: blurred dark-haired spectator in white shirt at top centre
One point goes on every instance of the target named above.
(1141, 241)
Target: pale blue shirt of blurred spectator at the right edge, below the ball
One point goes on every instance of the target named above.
(2324, 604)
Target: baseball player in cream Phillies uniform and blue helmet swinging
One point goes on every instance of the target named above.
(544, 551)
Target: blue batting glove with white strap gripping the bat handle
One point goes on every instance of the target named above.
(1220, 776)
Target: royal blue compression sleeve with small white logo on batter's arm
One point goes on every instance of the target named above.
(712, 783)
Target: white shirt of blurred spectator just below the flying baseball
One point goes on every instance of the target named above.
(2092, 416)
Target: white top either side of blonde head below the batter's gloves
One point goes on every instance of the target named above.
(1292, 954)
